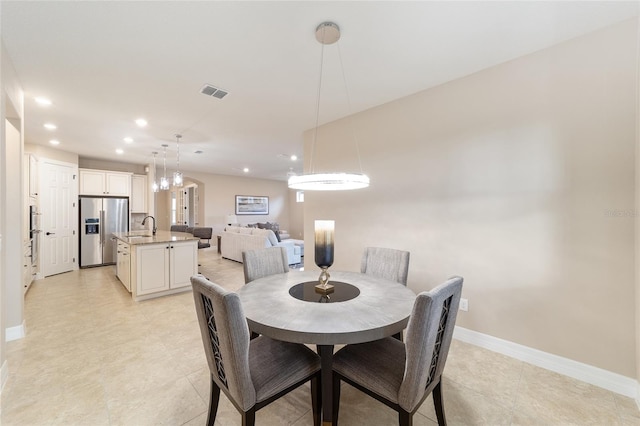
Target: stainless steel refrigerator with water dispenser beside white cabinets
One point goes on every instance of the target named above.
(99, 219)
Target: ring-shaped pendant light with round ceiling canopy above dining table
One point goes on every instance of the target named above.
(328, 33)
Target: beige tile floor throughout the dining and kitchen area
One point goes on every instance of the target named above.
(92, 356)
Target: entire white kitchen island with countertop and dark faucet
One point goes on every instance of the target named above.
(156, 265)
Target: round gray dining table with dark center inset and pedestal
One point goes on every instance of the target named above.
(361, 308)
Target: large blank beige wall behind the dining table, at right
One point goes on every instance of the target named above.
(514, 178)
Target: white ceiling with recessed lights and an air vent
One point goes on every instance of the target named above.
(104, 64)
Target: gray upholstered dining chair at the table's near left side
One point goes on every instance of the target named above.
(251, 373)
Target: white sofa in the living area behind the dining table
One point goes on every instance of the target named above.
(236, 239)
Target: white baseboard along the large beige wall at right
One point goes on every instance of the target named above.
(596, 376)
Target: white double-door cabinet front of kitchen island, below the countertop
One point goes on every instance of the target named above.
(163, 268)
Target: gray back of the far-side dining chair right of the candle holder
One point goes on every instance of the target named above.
(386, 263)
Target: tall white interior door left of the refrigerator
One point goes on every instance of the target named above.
(59, 217)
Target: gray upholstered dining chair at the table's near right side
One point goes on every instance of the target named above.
(402, 375)
